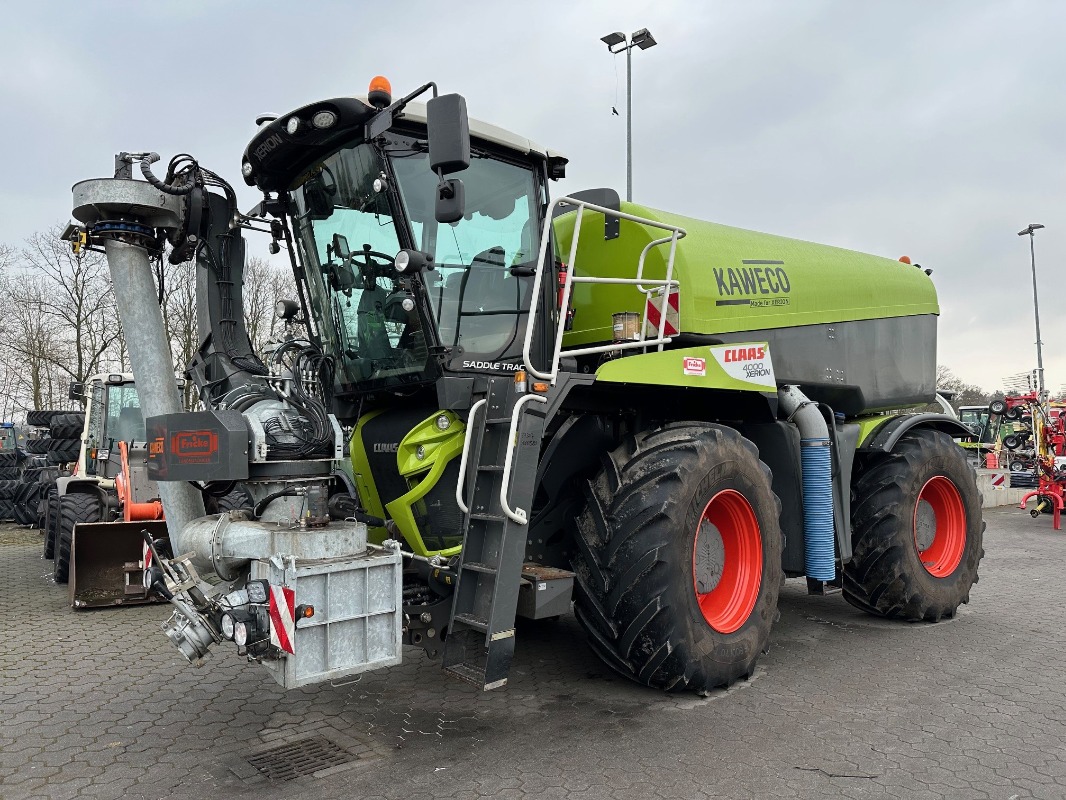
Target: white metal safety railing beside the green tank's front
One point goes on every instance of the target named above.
(645, 286)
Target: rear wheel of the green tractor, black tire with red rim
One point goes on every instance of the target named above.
(917, 531)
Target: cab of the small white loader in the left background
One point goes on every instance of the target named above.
(114, 415)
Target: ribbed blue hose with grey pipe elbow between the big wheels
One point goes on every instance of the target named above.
(817, 470)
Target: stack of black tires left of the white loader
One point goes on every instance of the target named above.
(60, 444)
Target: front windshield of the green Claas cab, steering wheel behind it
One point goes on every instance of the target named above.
(366, 314)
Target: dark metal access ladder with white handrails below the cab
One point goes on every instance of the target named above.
(495, 492)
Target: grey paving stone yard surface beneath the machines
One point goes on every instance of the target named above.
(98, 705)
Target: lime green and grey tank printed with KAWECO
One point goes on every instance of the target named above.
(855, 331)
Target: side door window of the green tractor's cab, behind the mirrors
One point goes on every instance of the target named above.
(480, 291)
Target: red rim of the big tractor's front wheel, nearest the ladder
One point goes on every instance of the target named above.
(728, 605)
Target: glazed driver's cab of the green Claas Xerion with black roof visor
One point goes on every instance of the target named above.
(359, 202)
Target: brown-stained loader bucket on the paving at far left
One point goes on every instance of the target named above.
(105, 564)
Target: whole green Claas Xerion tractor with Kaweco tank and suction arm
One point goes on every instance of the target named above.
(496, 401)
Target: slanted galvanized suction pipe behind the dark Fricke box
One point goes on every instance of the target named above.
(153, 367)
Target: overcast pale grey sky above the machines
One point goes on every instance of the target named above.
(932, 129)
